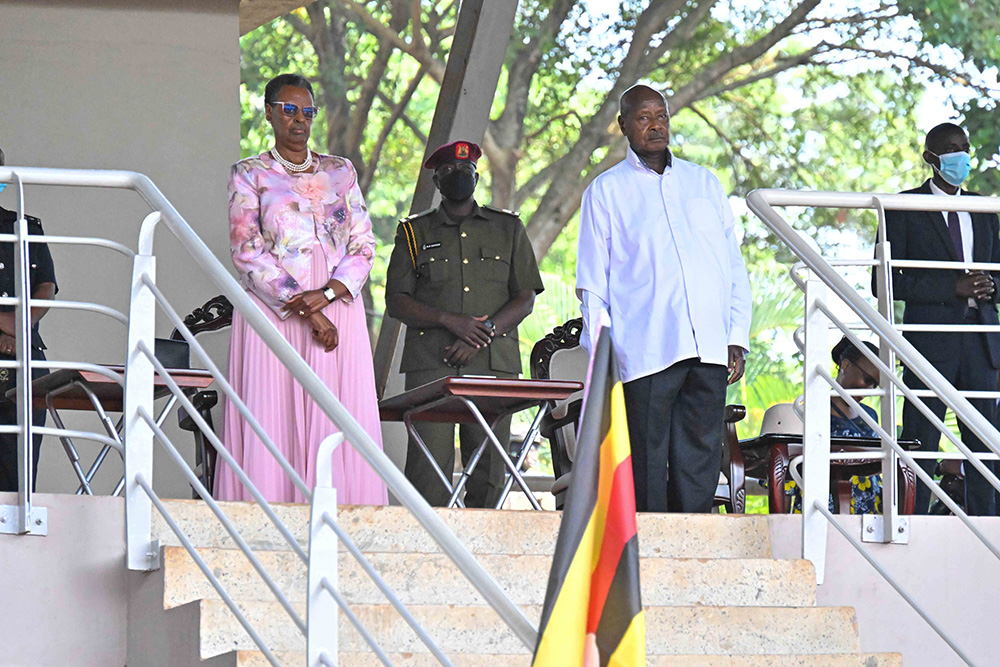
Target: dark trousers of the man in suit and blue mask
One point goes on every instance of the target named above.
(971, 371)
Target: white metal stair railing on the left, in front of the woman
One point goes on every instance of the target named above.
(142, 430)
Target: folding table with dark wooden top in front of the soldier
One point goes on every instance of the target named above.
(485, 400)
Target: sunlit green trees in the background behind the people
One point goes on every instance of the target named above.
(767, 93)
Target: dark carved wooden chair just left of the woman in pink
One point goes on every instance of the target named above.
(215, 314)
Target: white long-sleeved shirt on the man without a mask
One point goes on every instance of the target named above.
(659, 254)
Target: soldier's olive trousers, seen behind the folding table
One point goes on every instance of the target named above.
(484, 486)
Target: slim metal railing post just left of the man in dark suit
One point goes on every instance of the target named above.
(893, 529)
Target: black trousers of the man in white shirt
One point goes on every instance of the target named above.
(675, 427)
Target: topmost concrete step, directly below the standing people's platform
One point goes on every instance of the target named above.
(393, 529)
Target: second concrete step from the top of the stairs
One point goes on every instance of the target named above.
(431, 579)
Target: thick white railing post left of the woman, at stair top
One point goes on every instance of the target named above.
(142, 550)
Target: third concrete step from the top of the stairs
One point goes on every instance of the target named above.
(721, 631)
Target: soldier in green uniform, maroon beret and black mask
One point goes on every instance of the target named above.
(461, 277)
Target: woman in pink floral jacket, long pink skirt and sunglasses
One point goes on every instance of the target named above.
(302, 242)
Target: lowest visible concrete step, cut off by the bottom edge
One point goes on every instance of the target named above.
(293, 658)
